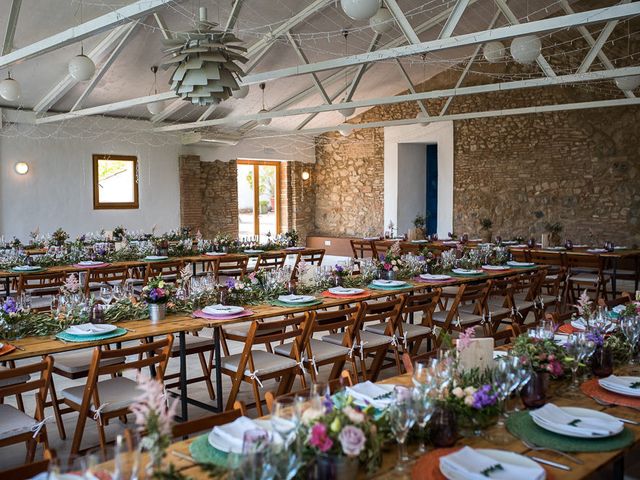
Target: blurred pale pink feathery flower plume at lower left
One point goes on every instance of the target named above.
(154, 417)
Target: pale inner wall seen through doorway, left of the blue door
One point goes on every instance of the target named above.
(412, 183)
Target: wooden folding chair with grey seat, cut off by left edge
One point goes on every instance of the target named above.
(15, 425)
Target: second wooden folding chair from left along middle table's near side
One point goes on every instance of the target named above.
(102, 400)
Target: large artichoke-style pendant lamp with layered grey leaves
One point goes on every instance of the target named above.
(205, 62)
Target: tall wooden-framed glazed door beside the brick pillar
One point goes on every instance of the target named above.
(259, 192)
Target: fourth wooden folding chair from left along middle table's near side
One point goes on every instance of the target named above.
(318, 353)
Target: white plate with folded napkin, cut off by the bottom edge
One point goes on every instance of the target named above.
(471, 464)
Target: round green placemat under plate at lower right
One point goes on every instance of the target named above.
(522, 426)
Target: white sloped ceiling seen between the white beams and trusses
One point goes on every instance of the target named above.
(320, 38)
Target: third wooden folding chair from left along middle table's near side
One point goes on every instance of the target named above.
(253, 366)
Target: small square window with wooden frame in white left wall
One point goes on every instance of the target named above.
(115, 182)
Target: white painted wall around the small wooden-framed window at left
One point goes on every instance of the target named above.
(58, 192)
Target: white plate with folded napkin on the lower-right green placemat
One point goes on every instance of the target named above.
(553, 415)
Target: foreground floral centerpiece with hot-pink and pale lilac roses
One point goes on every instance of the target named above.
(341, 436)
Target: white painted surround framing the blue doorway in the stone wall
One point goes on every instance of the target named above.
(440, 133)
